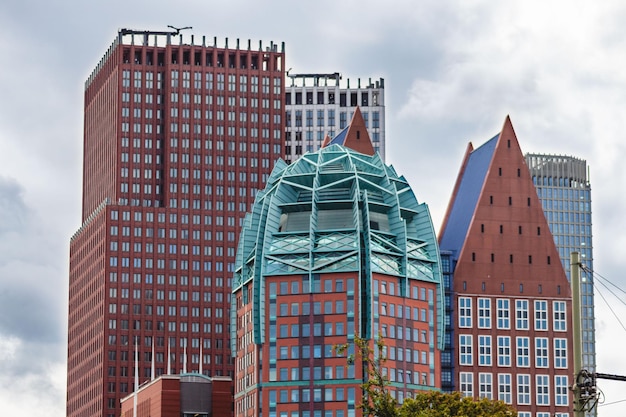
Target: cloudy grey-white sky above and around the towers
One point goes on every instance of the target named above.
(453, 71)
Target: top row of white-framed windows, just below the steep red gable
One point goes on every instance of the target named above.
(503, 314)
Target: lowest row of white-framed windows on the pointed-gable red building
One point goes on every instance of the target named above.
(485, 385)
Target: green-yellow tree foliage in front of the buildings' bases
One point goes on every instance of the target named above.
(378, 401)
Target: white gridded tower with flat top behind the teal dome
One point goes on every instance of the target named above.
(320, 105)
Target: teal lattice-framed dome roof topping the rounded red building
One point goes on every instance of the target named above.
(337, 210)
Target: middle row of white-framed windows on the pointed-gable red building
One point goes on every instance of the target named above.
(522, 351)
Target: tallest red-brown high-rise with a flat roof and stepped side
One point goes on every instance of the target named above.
(178, 136)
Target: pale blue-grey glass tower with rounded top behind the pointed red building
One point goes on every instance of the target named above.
(563, 186)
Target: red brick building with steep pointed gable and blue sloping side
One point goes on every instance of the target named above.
(507, 297)
